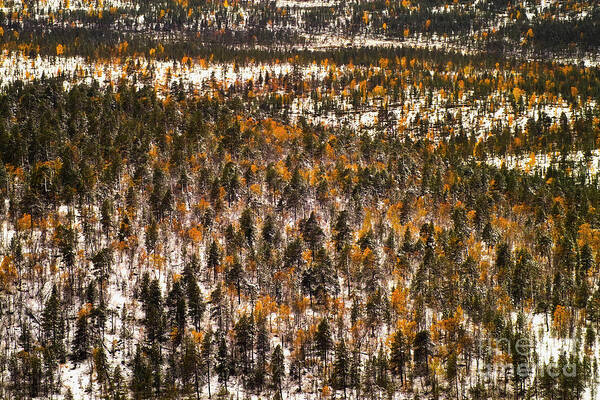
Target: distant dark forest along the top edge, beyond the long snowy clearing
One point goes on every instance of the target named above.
(188, 27)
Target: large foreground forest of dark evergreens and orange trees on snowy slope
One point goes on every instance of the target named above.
(255, 257)
